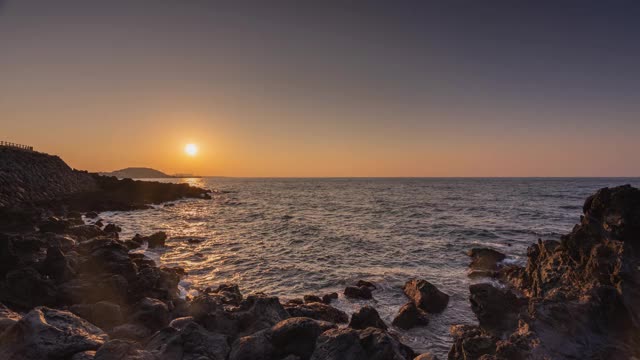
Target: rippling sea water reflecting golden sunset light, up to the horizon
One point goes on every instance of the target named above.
(290, 237)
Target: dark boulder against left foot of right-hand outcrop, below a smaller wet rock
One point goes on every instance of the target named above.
(497, 310)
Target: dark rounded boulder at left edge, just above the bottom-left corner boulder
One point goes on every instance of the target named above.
(26, 288)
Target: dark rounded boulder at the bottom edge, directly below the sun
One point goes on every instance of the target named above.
(192, 341)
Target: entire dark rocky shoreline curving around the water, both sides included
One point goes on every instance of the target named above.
(71, 289)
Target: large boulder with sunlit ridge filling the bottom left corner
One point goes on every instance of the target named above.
(46, 333)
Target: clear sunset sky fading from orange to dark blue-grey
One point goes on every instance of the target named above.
(326, 88)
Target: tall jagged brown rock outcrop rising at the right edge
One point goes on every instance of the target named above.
(576, 298)
